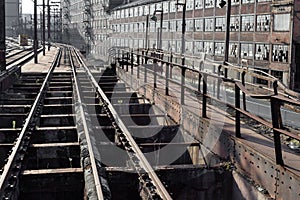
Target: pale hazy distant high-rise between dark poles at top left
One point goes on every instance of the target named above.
(13, 10)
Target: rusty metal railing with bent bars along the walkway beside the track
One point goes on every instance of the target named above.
(138, 59)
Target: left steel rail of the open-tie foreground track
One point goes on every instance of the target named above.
(22, 142)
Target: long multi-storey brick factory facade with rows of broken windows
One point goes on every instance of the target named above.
(264, 32)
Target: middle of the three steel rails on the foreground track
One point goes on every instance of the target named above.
(86, 133)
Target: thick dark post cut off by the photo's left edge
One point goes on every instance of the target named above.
(2, 37)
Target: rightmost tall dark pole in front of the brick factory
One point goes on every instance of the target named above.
(227, 35)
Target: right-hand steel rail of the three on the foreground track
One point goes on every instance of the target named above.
(162, 192)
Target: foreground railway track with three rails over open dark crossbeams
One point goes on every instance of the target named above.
(70, 135)
